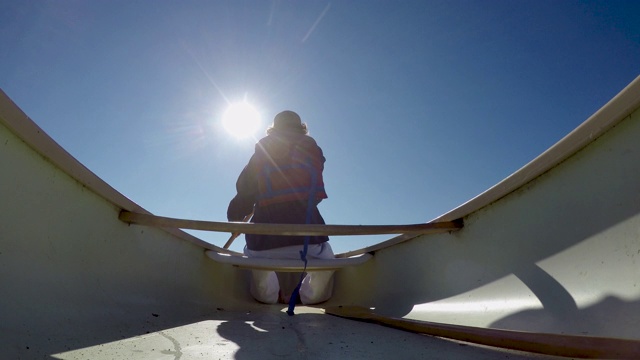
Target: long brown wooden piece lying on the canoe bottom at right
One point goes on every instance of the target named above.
(551, 344)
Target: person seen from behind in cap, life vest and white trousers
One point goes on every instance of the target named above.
(282, 184)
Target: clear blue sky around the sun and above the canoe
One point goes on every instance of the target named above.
(418, 105)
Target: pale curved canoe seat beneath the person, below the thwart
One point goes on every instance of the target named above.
(287, 265)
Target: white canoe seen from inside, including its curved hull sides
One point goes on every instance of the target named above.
(546, 264)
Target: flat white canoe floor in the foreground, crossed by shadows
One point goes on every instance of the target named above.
(274, 335)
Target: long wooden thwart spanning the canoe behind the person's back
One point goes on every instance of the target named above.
(289, 229)
